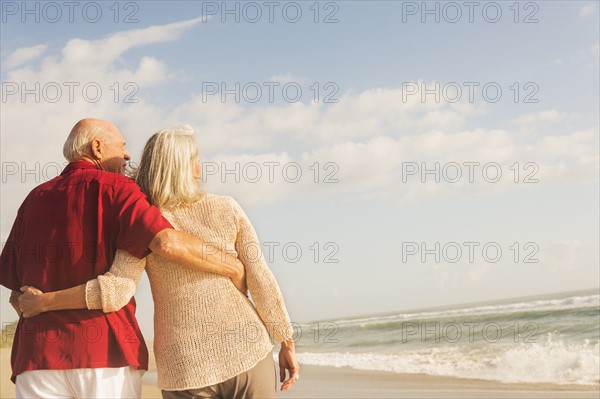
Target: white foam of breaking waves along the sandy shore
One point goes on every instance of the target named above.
(551, 361)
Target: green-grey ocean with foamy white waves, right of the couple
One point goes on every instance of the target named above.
(548, 339)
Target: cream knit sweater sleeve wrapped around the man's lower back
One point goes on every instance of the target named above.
(114, 289)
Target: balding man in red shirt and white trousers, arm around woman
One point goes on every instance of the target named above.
(67, 232)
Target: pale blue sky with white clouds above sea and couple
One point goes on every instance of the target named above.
(375, 61)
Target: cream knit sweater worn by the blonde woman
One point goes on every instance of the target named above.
(205, 330)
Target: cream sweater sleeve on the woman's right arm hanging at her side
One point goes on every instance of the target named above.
(261, 282)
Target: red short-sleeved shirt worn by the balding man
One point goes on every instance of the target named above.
(67, 232)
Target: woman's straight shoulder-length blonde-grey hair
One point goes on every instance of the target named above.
(166, 171)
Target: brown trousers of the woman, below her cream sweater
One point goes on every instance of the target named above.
(260, 382)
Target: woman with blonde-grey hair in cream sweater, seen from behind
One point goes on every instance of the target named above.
(210, 340)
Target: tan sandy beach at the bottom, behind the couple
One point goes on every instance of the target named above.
(329, 382)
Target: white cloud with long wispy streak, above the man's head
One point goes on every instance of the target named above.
(97, 64)
